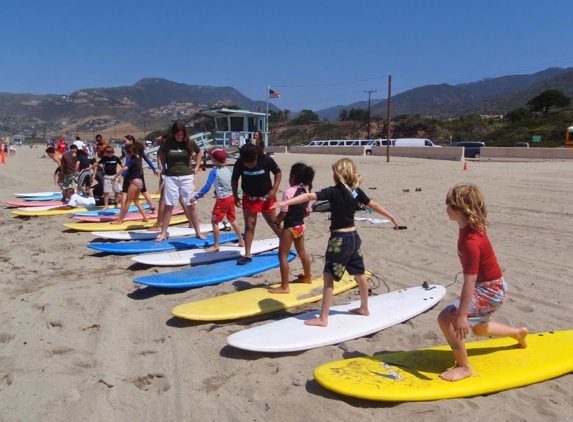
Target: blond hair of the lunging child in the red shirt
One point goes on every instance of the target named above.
(468, 199)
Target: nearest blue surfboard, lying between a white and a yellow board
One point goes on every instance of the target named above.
(206, 275)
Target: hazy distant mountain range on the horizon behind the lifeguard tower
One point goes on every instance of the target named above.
(154, 102)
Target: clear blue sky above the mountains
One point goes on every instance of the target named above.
(317, 53)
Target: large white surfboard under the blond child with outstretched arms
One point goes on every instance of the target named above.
(291, 334)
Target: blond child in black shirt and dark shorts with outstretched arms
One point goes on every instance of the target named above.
(343, 252)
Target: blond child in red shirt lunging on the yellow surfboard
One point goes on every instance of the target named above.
(484, 289)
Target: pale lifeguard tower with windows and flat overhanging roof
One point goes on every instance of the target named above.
(233, 128)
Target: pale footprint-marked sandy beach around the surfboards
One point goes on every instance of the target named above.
(80, 341)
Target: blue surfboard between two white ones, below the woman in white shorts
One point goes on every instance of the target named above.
(147, 246)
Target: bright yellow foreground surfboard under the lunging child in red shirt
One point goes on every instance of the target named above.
(498, 364)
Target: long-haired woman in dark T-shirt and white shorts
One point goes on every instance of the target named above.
(179, 176)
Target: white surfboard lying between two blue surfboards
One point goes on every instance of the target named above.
(200, 256)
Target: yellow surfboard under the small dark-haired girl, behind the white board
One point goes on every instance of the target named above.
(257, 301)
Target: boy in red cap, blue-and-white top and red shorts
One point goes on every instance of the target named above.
(225, 203)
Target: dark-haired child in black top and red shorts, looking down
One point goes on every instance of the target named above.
(254, 168)
